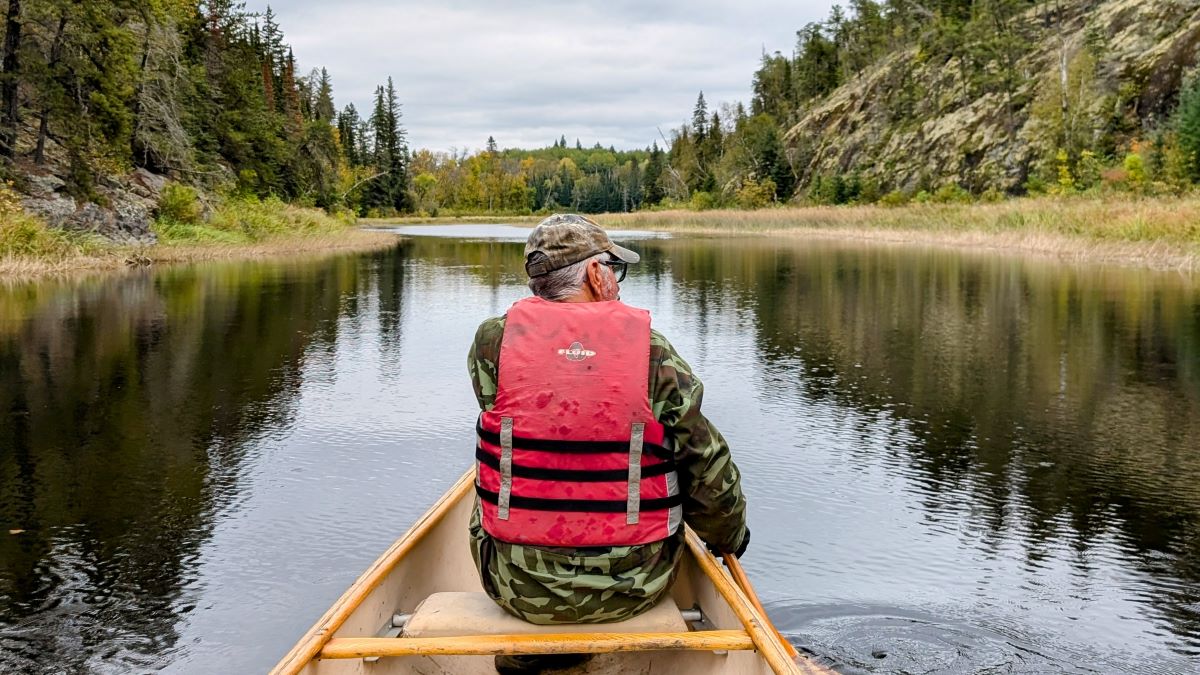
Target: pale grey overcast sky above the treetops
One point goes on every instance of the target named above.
(527, 73)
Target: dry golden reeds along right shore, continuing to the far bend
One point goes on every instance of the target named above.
(1160, 234)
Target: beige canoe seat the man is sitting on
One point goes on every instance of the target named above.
(455, 614)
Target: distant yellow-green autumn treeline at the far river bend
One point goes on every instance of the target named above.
(607, 181)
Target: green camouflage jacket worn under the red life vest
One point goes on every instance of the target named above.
(545, 586)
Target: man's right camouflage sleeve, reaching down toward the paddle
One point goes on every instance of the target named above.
(712, 486)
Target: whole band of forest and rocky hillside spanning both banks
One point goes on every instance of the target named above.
(886, 101)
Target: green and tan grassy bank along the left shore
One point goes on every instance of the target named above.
(239, 230)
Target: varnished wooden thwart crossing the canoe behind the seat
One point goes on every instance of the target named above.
(550, 643)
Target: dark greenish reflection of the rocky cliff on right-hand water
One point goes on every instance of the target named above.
(1075, 395)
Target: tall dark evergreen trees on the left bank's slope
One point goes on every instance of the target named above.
(203, 92)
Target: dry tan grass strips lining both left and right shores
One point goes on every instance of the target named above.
(1155, 234)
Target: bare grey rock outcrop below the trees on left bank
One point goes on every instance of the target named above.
(127, 220)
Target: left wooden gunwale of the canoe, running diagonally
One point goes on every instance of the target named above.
(321, 634)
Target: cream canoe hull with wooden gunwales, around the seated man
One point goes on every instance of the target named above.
(435, 557)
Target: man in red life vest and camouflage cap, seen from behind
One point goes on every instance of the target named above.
(592, 449)
